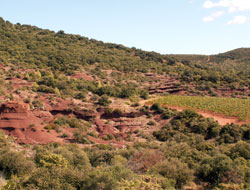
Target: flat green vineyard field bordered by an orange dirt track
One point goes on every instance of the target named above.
(232, 107)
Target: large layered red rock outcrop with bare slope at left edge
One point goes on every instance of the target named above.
(17, 120)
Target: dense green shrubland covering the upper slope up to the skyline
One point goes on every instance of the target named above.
(27, 46)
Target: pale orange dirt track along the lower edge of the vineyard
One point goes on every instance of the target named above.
(222, 120)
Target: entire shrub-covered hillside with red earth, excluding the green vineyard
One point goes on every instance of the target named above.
(77, 114)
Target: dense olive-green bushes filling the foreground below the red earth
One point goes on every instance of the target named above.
(193, 149)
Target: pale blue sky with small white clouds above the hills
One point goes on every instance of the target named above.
(164, 26)
